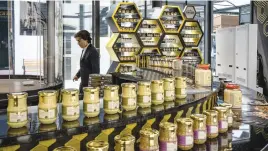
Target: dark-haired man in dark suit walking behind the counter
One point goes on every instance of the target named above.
(89, 60)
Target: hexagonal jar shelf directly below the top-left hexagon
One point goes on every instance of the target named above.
(123, 47)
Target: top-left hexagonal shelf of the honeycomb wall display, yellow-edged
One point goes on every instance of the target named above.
(124, 17)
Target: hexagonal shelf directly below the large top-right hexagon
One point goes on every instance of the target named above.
(171, 45)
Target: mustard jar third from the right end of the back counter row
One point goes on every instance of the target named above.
(157, 87)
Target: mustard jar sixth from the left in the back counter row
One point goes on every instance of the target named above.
(129, 96)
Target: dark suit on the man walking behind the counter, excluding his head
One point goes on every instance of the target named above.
(89, 64)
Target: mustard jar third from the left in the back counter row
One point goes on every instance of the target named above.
(70, 104)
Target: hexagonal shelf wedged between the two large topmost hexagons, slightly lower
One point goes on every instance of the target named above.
(150, 32)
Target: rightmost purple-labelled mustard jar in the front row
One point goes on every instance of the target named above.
(222, 119)
